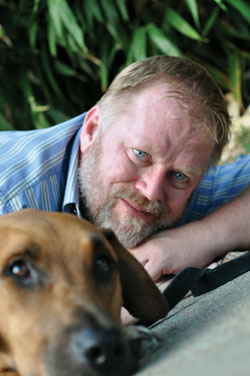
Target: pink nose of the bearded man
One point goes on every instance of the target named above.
(151, 185)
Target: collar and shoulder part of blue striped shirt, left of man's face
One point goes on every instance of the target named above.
(39, 168)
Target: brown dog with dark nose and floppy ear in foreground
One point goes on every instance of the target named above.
(62, 285)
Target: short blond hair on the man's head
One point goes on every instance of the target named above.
(189, 82)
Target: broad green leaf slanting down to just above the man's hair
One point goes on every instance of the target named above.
(164, 44)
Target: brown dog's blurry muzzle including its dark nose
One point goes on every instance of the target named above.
(92, 350)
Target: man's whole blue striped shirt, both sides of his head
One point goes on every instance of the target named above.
(39, 170)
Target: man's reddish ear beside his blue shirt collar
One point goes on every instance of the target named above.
(89, 128)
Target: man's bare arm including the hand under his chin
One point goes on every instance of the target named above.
(198, 243)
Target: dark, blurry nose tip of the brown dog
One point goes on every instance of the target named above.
(103, 350)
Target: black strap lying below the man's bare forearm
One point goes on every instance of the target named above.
(199, 281)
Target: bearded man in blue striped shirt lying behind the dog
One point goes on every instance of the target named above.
(141, 162)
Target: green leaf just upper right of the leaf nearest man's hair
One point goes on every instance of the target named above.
(178, 22)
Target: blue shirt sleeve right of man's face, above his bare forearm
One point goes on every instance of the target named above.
(219, 186)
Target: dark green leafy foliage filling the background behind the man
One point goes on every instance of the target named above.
(57, 57)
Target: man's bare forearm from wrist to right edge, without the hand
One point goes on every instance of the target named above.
(225, 230)
